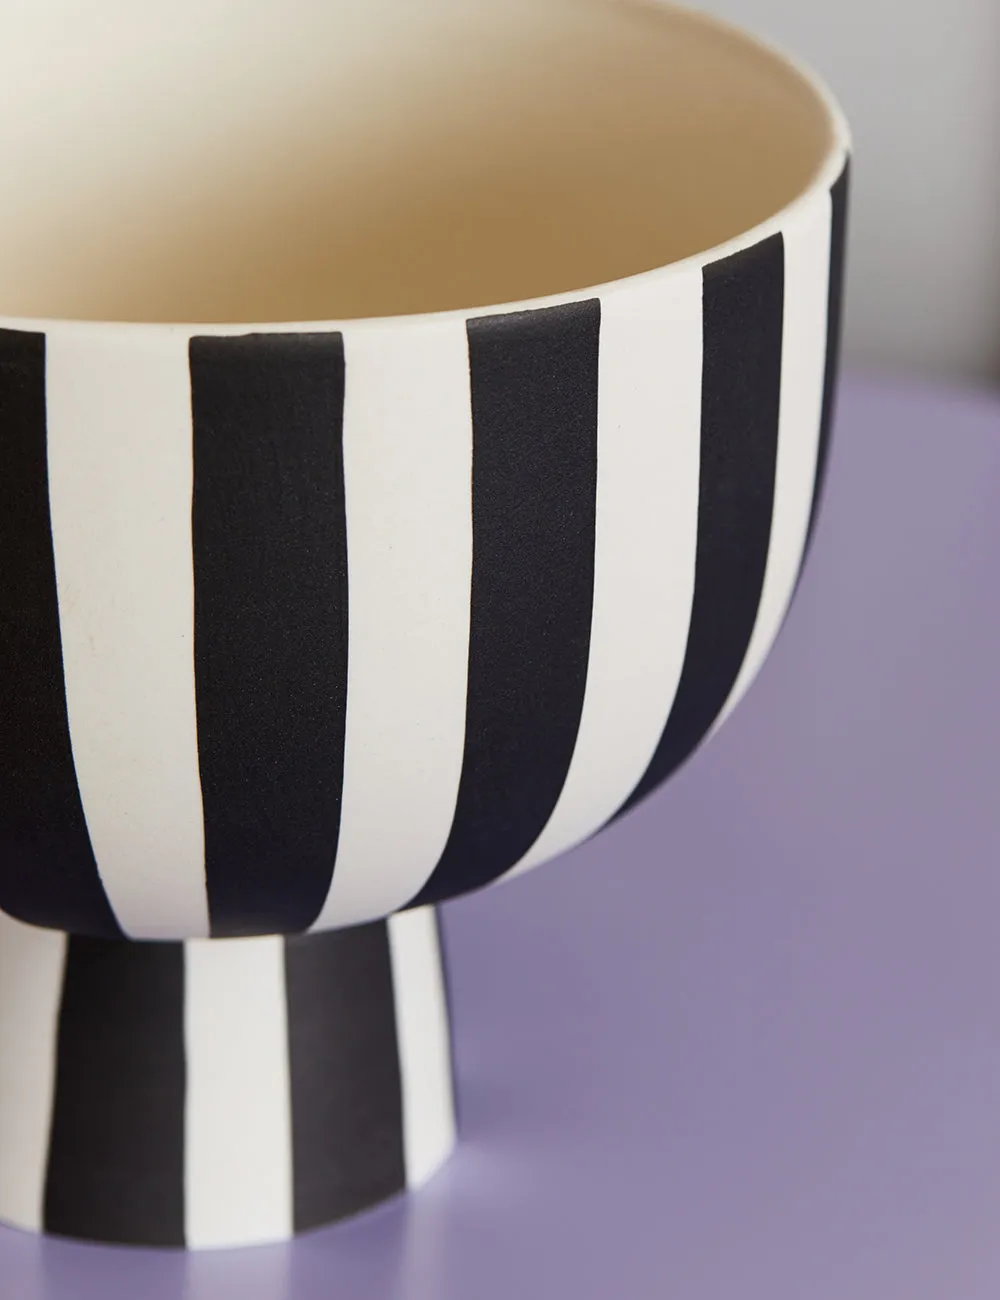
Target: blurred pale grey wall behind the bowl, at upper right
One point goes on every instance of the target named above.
(920, 81)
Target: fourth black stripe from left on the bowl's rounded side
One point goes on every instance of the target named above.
(742, 385)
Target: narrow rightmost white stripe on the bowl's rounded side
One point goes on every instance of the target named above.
(807, 275)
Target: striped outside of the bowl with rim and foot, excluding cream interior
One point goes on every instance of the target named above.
(309, 626)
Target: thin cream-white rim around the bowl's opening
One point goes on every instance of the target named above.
(836, 159)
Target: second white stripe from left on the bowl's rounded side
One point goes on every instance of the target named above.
(408, 445)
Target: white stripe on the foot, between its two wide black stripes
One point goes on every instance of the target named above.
(239, 1159)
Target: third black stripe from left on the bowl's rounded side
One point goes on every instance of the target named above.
(534, 500)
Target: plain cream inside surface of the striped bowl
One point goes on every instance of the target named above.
(282, 161)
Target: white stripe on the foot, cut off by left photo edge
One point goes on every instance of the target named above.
(32, 967)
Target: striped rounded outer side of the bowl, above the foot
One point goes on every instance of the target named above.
(302, 629)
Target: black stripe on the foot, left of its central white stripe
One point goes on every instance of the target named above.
(116, 1149)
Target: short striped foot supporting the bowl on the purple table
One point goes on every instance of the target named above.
(219, 1093)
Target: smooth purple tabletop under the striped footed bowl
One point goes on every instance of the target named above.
(748, 1042)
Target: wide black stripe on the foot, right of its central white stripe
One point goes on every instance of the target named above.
(347, 1100)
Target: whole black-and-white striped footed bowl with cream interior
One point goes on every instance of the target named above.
(412, 424)
